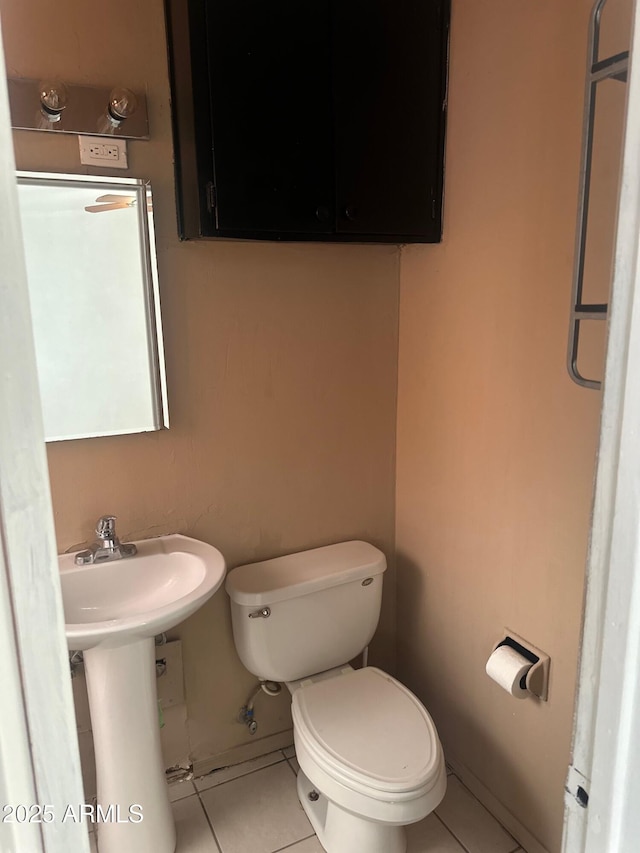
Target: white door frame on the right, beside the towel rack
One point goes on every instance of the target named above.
(603, 785)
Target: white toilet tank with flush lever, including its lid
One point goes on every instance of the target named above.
(304, 613)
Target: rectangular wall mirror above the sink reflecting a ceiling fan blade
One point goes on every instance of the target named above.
(93, 285)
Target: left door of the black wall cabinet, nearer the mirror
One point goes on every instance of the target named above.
(270, 84)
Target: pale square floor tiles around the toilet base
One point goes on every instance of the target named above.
(253, 808)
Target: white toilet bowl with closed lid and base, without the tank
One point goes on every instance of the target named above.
(370, 760)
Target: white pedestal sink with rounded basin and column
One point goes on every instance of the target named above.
(113, 610)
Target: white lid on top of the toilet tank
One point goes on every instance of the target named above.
(257, 584)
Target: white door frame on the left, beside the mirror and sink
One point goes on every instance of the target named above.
(39, 757)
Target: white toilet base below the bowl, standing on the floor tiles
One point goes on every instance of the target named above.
(340, 831)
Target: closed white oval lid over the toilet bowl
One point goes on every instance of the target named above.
(368, 728)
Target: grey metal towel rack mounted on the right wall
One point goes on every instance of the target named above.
(611, 68)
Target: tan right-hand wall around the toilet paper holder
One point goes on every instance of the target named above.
(495, 444)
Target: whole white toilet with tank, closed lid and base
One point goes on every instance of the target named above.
(370, 758)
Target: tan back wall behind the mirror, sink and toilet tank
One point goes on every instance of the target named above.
(281, 362)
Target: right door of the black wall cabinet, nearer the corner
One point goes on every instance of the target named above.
(389, 91)
